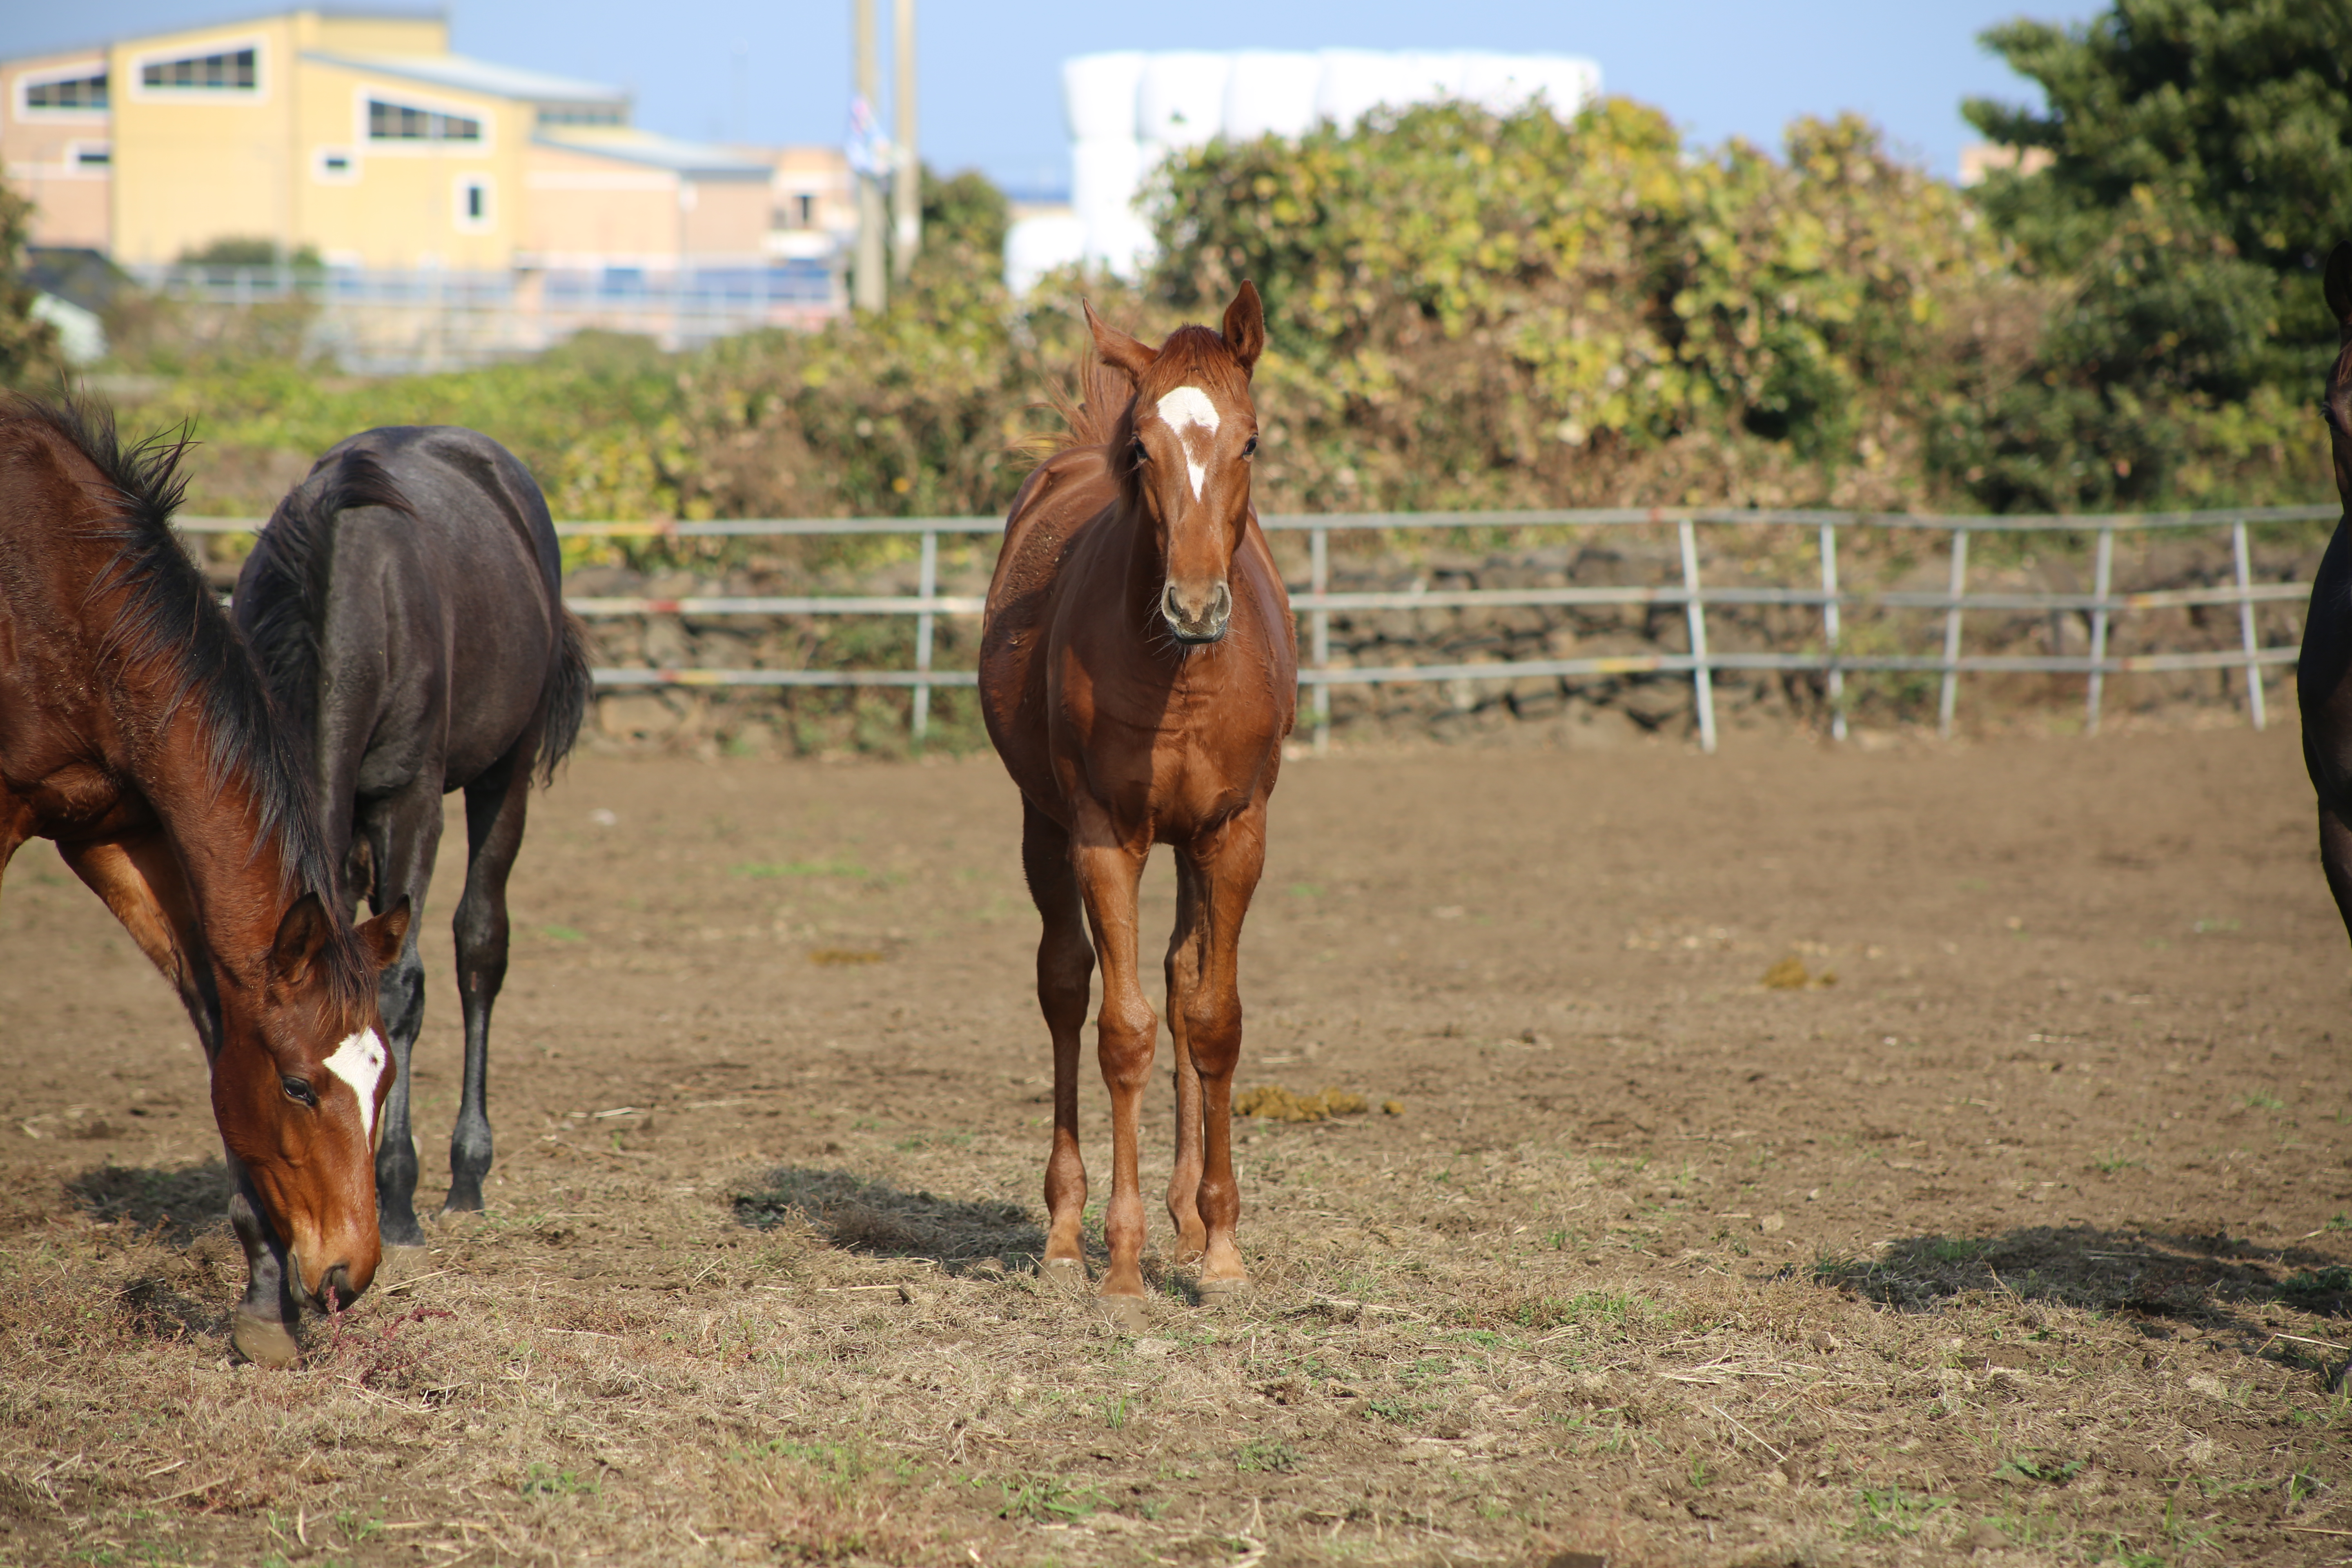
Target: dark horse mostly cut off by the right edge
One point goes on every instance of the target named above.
(2325, 666)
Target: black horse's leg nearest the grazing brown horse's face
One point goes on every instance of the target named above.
(403, 836)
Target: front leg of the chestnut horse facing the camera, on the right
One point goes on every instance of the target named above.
(1227, 869)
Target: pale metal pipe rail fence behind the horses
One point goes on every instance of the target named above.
(1318, 603)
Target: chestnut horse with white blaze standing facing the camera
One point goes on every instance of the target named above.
(1140, 671)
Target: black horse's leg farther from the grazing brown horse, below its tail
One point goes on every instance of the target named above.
(495, 808)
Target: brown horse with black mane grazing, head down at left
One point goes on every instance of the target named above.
(138, 735)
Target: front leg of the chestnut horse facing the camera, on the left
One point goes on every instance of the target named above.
(1125, 1040)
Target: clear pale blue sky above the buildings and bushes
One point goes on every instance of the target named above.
(780, 72)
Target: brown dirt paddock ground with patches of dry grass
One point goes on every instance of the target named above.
(2019, 1242)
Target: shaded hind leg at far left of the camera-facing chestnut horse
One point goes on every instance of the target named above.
(1064, 981)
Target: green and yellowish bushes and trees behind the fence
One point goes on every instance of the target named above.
(1471, 311)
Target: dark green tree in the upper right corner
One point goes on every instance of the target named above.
(2198, 173)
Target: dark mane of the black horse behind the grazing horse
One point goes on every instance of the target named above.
(290, 572)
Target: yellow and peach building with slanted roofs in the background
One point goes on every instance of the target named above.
(361, 138)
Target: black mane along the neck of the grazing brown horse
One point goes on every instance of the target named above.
(173, 622)
